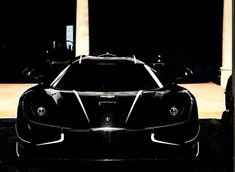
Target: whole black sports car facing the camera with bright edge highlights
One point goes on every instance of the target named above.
(107, 108)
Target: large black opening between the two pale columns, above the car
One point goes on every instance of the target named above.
(185, 33)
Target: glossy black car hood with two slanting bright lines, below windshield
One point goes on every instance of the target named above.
(110, 109)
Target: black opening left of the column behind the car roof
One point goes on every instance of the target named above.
(29, 30)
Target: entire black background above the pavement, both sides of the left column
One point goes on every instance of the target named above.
(185, 33)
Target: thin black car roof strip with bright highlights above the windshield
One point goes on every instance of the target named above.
(106, 59)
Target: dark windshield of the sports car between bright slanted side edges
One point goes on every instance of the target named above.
(107, 77)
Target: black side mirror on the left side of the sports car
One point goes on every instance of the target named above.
(30, 74)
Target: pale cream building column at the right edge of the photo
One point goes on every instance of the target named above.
(226, 69)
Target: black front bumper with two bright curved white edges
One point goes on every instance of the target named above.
(104, 144)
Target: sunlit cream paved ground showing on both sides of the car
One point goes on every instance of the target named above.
(210, 98)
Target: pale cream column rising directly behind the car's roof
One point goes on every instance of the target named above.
(82, 28)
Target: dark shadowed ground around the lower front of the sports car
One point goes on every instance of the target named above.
(216, 154)
